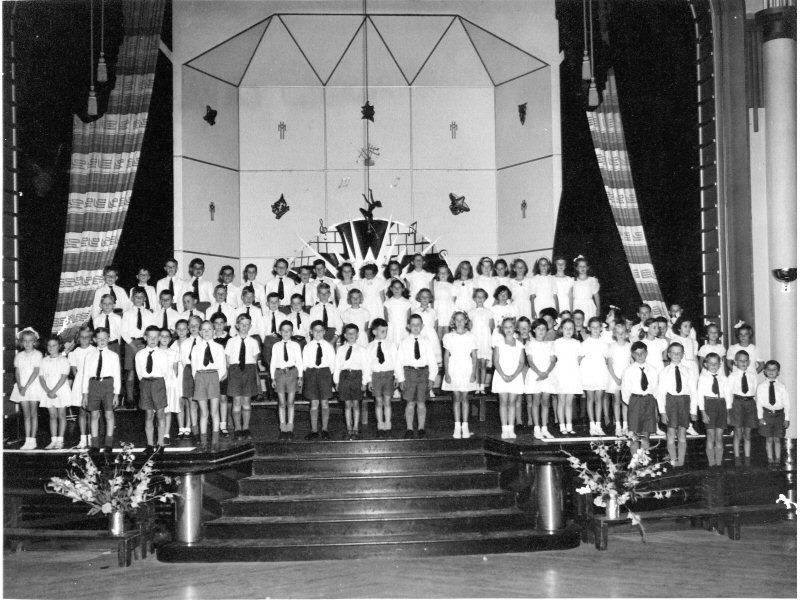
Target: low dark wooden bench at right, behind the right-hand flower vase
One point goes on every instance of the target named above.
(720, 518)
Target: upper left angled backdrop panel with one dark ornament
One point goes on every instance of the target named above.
(219, 143)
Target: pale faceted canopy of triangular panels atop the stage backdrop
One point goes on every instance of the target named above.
(329, 49)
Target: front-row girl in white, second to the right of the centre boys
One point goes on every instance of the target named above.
(509, 360)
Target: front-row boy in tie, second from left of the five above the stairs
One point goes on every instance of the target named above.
(319, 358)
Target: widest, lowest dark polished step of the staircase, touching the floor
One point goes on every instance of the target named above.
(225, 550)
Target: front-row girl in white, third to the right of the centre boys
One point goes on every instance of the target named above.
(541, 360)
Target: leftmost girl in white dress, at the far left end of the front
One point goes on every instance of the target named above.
(27, 390)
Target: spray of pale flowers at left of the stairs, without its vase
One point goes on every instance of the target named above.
(119, 487)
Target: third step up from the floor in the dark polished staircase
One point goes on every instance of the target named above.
(369, 504)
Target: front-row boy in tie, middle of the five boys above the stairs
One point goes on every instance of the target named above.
(351, 375)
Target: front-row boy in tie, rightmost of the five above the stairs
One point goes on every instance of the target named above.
(416, 372)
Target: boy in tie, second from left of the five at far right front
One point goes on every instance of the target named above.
(677, 402)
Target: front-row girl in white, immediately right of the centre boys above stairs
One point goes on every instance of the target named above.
(460, 364)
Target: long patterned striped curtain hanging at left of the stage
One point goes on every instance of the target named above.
(105, 157)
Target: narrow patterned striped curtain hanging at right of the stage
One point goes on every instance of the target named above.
(608, 137)
